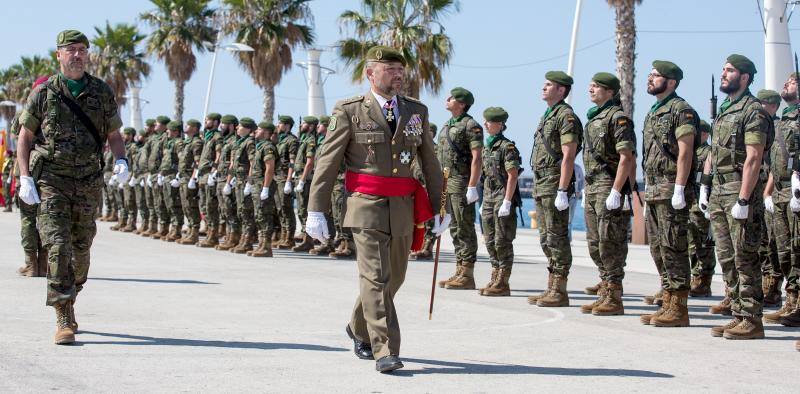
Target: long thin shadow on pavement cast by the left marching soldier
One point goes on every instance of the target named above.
(141, 340)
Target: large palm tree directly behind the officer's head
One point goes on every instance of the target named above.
(407, 25)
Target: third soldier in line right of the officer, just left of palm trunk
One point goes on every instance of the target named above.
(556, 143)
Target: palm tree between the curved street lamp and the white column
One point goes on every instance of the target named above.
(273, 28)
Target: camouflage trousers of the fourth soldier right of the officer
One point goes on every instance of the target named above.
(607, 236)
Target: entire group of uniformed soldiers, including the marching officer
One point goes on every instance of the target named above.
(373, 181)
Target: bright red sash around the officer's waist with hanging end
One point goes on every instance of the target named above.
(386, 186)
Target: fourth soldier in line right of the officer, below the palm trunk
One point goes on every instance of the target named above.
(609, 158)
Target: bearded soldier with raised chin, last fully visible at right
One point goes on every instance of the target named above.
(742, 133)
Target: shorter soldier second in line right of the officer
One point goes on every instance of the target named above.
(501, 164)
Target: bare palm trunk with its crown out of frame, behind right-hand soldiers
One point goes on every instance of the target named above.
(626, 49)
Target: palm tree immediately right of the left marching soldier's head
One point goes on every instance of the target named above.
(116, 60)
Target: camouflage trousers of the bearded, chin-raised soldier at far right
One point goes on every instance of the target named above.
(737, 250)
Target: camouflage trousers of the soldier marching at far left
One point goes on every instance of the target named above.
(67, 229)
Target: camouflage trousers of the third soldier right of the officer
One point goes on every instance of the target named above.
(553, 235)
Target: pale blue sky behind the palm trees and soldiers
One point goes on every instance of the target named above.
(502, 50)
